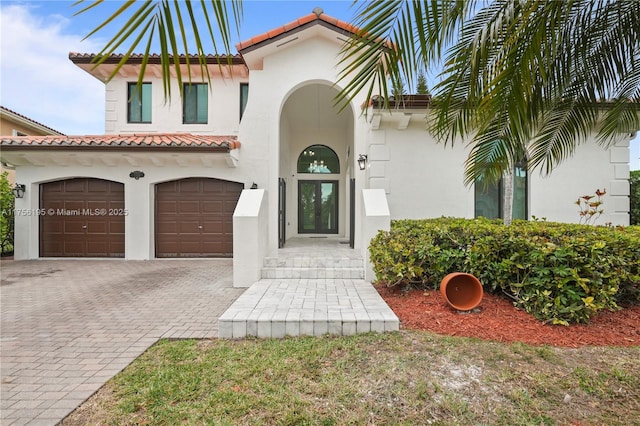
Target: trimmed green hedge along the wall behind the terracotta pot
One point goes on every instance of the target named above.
(561, 273)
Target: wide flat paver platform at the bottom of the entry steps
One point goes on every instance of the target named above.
(277, 308)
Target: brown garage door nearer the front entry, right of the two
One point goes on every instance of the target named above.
(194, 217)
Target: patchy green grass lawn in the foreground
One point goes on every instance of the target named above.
(407, 377)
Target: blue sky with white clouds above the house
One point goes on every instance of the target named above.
(38, 80)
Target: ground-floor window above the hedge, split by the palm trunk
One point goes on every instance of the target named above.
(489, 197)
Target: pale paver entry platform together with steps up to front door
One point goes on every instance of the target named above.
(309, 288)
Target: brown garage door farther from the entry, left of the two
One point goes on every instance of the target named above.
(82, 217)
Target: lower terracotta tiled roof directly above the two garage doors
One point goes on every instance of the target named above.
(132, 141)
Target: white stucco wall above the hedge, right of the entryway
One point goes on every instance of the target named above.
(424, 179)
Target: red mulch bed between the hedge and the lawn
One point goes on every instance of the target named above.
(497, 319)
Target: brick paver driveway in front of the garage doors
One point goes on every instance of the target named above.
(68, 326)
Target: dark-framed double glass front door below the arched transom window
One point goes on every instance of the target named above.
(317, 207)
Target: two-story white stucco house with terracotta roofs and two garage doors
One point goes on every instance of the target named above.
(166, 179)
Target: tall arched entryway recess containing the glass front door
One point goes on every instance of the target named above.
(316, 149)
